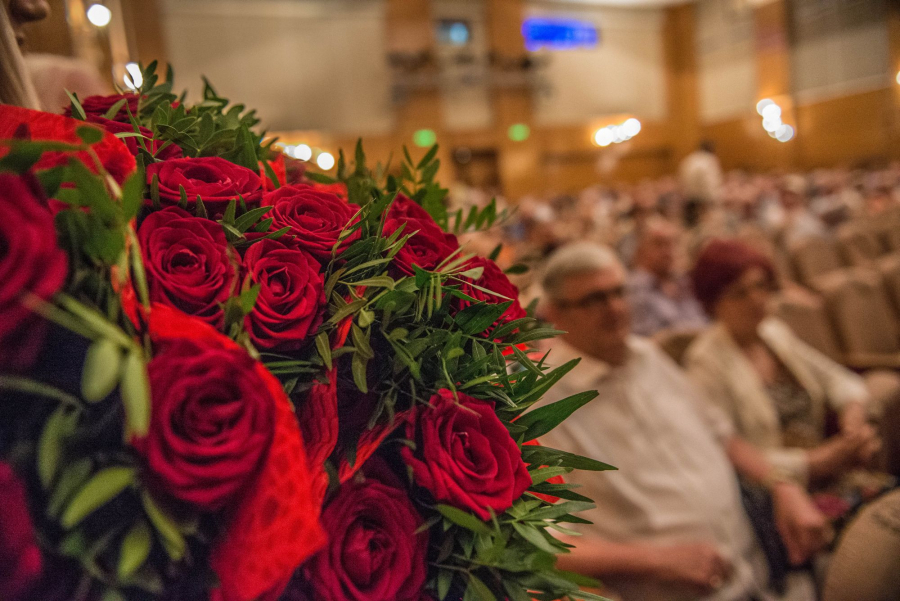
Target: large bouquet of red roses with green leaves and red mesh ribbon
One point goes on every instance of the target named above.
(224, 378)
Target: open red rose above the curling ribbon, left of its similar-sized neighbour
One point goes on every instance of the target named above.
(187, 263)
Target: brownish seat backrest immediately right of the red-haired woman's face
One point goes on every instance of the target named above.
(807, 316)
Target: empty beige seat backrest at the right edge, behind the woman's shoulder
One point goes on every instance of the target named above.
(860, 311)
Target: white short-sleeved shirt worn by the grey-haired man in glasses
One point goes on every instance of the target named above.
(674, 482)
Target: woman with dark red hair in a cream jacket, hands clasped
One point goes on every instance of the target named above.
(774, 387)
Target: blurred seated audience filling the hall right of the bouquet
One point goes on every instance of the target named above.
(743, 333)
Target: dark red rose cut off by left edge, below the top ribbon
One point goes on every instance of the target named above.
(30, 262)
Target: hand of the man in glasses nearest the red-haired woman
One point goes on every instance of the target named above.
(803, 528)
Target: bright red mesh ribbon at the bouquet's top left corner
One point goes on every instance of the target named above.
(27, 124)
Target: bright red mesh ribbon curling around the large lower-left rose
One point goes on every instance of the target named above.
(275, 527)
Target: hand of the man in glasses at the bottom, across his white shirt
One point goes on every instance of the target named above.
(699, 566)
